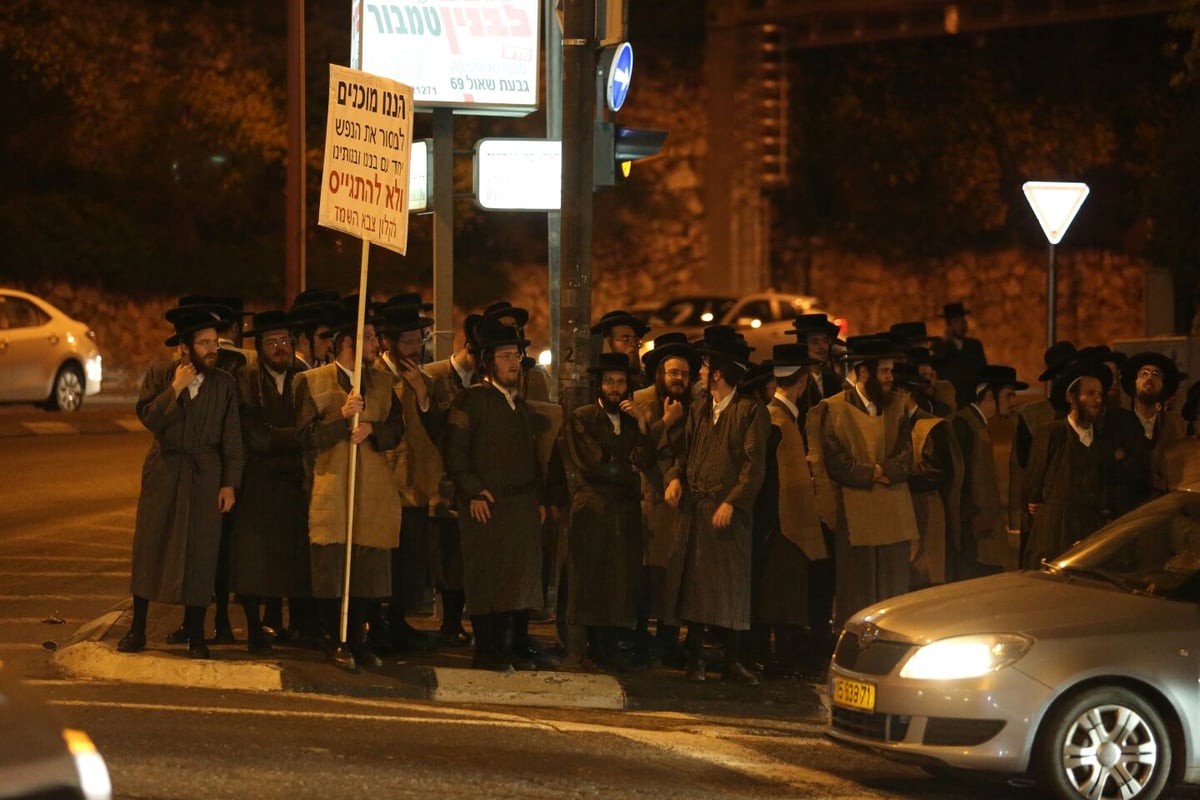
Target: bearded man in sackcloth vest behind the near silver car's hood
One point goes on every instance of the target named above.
(866, 438)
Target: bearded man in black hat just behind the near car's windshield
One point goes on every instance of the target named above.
(1065, 480)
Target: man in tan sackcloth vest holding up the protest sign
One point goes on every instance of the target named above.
(332, 417)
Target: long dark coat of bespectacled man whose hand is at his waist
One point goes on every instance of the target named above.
(489, 446)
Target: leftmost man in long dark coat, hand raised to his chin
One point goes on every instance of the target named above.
(189, 478)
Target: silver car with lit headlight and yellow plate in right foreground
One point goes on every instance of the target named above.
(1083, 676)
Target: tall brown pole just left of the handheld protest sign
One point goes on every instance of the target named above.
(297, 212)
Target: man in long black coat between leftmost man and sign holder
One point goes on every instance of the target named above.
(269, 549)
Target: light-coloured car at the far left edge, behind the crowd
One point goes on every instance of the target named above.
(46, 357)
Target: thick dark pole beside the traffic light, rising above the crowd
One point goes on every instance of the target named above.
(575, 291)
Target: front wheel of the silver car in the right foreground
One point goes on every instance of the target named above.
(1106, 742)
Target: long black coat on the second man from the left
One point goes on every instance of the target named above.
(269, 549)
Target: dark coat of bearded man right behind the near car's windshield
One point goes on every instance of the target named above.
(1066, 479)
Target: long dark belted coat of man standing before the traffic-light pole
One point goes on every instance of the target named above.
(605, 542)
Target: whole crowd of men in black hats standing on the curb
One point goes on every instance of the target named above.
(710, 508)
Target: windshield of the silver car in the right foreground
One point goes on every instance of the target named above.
(1154, 550)
